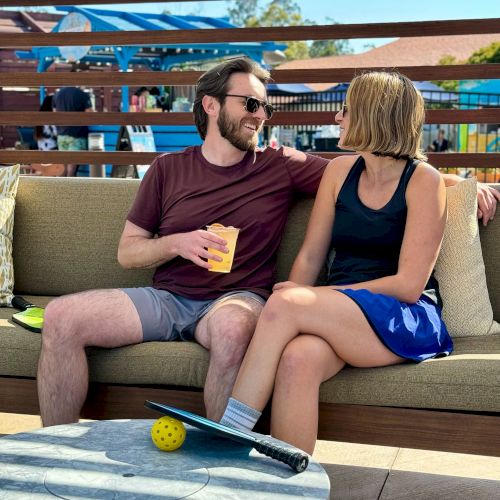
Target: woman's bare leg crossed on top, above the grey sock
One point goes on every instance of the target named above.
(323, 312)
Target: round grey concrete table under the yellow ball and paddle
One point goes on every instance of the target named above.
(117, 459)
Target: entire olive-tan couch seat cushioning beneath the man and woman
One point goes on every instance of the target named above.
(466, 380)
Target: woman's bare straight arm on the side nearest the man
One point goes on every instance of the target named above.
(312, 254)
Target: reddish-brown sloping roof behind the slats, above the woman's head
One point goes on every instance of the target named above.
(409, 51)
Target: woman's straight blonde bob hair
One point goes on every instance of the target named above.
(386, 115)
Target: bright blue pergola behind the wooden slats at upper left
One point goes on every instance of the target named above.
(156, 57)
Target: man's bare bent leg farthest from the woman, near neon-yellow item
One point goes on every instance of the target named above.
(100, 318)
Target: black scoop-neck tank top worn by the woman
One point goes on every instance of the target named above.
(366, 241)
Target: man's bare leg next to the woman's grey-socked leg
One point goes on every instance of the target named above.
(225, 331)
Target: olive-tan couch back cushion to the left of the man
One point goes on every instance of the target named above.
(66, 235)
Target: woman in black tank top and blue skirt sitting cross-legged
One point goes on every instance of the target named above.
(383, 212)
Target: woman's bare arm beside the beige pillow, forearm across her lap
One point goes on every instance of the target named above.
(426, 218)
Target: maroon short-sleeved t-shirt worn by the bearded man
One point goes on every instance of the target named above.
(182, 192)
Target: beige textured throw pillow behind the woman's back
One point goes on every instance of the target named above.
(460, 267)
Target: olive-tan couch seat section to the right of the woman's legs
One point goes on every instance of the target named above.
(469, 379)
